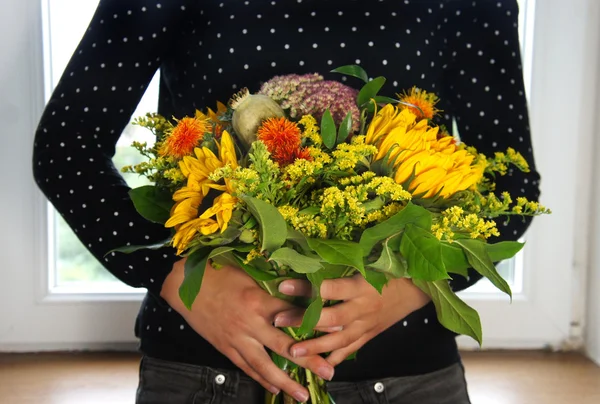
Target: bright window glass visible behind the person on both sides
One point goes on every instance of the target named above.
(72, 267)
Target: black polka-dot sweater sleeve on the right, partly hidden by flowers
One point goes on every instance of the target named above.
(485, 89)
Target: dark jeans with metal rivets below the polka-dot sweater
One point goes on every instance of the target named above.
(164, 382)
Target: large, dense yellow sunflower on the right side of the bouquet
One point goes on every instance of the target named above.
(425, 164)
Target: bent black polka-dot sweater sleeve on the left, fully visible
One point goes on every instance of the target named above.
(78, 131)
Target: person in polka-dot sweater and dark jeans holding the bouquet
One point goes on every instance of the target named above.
(465, 51)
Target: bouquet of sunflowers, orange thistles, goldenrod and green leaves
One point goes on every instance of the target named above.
(315, 180)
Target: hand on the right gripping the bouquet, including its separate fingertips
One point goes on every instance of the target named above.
(361, 315)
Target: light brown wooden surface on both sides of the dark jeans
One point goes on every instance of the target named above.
(493, 378)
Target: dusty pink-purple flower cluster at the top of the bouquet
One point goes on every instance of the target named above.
(309, 94)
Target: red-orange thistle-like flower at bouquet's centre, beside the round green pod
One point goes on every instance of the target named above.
(283, 139)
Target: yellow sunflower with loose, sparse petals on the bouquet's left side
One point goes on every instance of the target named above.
(185, 217)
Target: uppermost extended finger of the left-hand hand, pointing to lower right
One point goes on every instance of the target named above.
(280, 343)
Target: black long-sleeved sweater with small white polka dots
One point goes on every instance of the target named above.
(466, 51)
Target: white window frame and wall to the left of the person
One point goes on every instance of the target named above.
(27, 322)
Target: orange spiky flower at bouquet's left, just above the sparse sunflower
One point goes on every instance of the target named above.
(184, 137)
